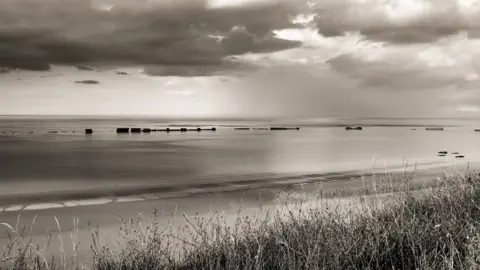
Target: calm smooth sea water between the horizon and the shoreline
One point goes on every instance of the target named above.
(42, 161)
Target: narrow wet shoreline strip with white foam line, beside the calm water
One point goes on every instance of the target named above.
(15, 202)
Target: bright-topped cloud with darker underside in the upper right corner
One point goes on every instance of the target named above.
(398, 21)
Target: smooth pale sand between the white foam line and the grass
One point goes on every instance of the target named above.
(107, 215)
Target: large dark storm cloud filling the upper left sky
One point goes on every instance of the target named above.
(36, 34)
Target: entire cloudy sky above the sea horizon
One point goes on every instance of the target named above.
(240, 58)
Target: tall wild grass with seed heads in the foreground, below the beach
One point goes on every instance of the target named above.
(387, 225)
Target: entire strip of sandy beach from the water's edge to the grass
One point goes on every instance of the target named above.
(104, 213)
